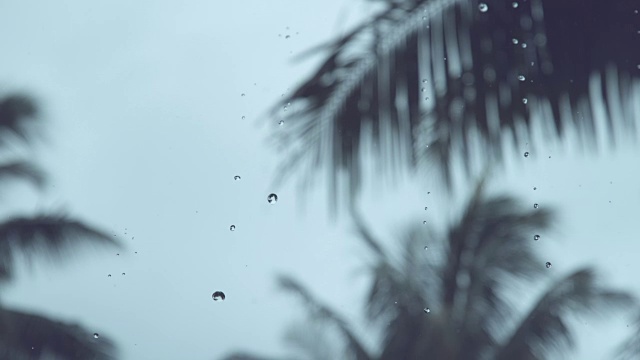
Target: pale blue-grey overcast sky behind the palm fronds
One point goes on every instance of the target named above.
(145, 127)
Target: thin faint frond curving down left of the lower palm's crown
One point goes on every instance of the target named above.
(322, 312)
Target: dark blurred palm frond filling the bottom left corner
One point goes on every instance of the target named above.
(27, 336)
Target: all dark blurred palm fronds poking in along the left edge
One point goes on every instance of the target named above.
(32, 237)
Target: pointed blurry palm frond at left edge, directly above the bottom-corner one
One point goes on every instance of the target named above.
(48, 234)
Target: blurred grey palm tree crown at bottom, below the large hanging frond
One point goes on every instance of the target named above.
(463, 297)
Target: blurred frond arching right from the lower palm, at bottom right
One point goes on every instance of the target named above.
(545, 329)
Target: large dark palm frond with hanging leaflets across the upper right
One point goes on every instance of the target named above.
(423, 79)
